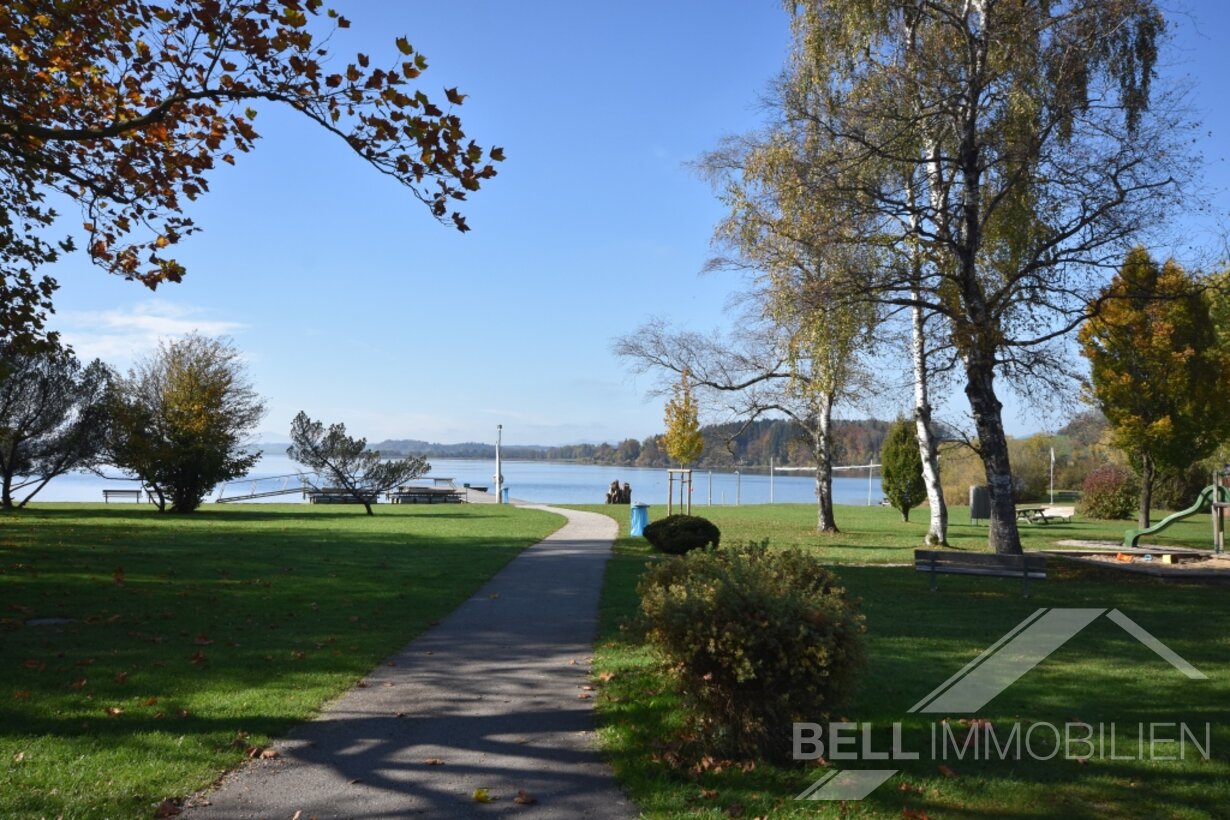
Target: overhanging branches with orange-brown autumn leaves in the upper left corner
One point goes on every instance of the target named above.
(126, 106)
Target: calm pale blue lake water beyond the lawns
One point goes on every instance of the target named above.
(538, 481)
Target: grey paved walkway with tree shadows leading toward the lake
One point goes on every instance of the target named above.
(491, 693)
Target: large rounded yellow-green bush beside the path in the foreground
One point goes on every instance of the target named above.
(760, 639)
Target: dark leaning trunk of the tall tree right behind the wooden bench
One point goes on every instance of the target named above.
(993, 448)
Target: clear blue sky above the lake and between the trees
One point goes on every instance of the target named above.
(355, 306)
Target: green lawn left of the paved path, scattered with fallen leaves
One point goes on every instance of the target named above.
(194, 639)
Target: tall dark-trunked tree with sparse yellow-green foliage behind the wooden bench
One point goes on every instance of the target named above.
(1020, 144)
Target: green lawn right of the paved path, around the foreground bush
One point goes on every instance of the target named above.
(917, 641)
